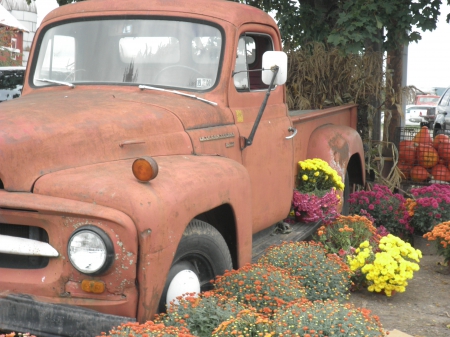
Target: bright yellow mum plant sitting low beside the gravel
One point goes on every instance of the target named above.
(389, 269)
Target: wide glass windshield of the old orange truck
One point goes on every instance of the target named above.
(166, 53)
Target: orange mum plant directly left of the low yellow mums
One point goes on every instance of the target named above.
(324, 276)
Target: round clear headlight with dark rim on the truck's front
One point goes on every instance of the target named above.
(90, 250)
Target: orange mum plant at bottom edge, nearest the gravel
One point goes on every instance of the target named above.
(326, 318)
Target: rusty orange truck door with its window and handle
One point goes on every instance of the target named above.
(269, 160)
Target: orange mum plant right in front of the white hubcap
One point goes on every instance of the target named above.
(201, 314)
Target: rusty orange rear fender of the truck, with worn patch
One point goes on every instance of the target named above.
(338, 145)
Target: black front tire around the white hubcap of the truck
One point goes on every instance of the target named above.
(203, 250)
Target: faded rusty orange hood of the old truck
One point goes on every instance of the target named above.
(62, 128)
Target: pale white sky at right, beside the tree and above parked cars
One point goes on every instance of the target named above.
(429, 59)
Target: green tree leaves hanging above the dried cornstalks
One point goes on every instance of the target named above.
(352, 24)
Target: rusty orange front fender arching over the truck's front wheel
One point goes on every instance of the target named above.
(185, 187)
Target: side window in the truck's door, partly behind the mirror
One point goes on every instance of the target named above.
(250, 50)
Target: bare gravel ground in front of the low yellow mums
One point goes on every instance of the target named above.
(423, 310)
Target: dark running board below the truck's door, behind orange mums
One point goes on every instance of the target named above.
(272, 236)
